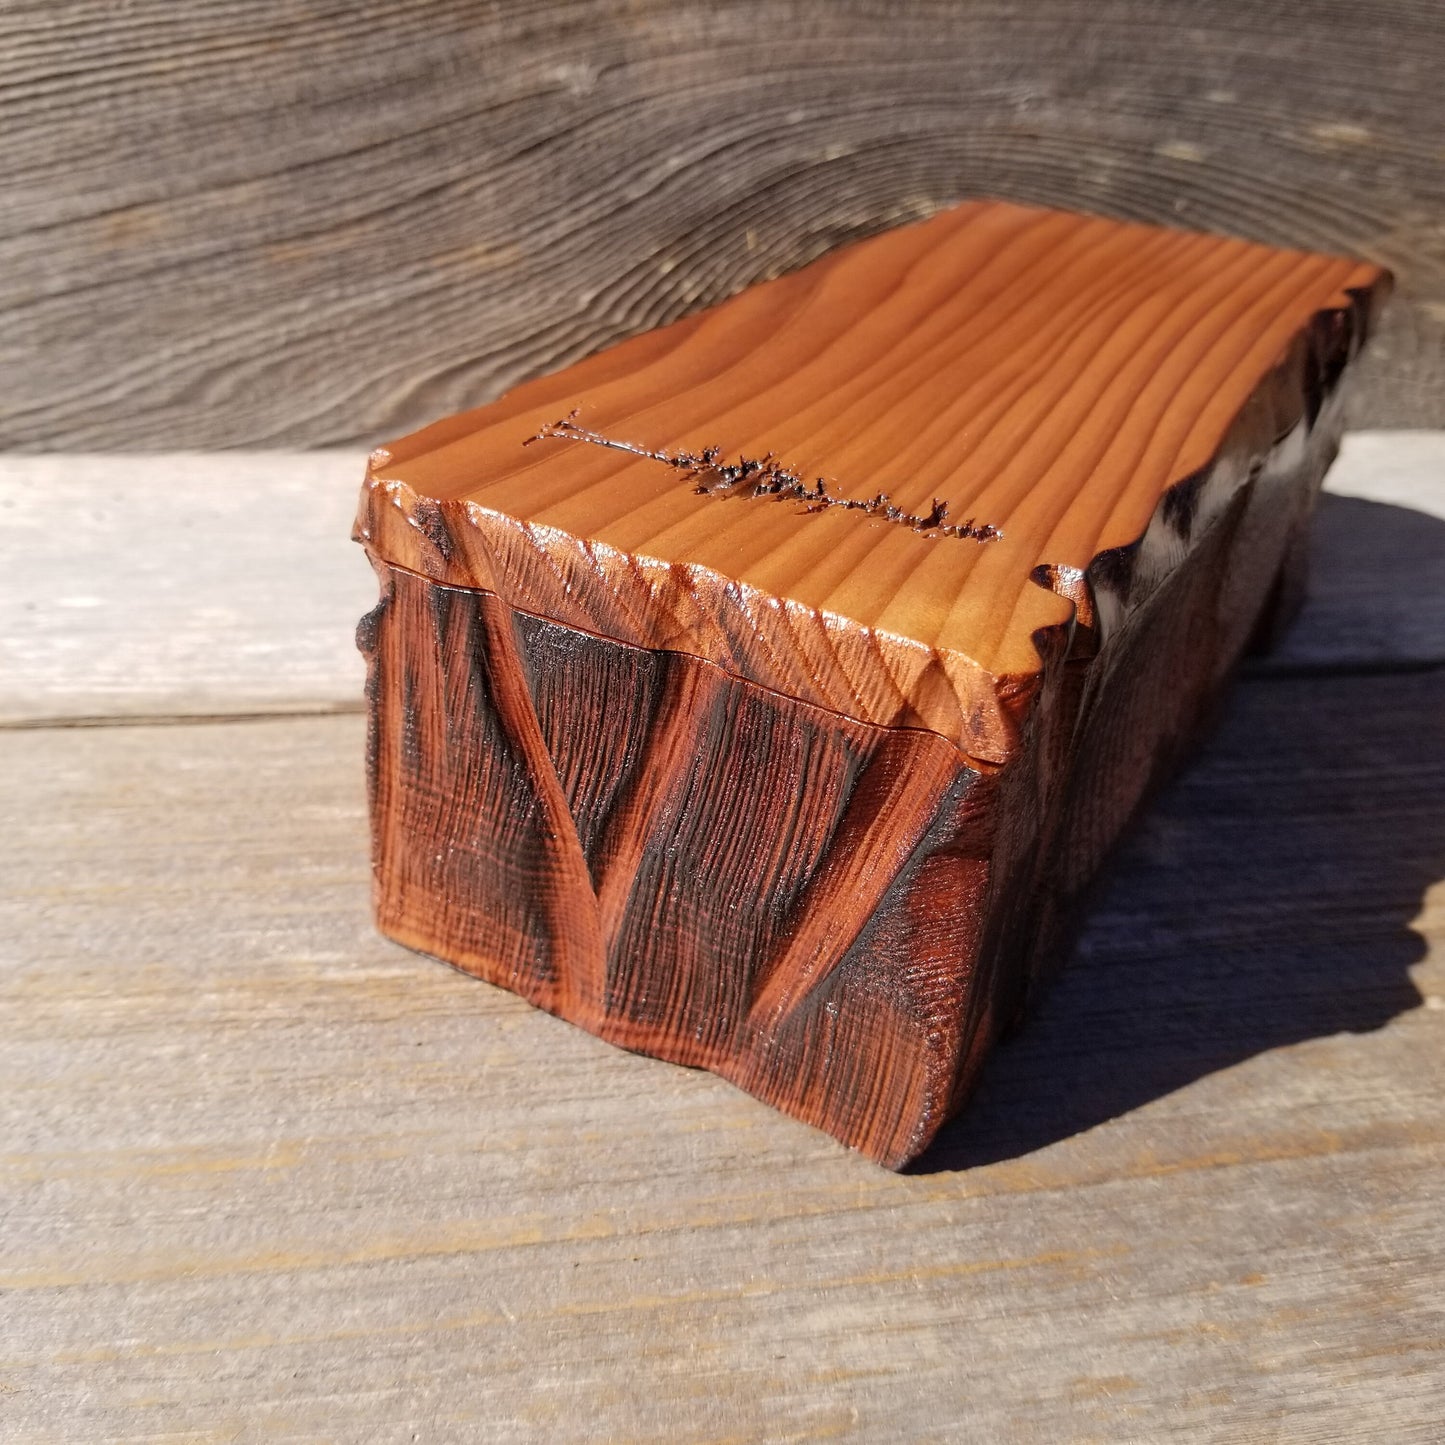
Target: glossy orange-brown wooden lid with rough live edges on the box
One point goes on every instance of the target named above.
(878, 485)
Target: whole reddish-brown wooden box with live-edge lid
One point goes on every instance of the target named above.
(702, 743)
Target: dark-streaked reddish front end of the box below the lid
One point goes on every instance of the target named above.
(678, 860)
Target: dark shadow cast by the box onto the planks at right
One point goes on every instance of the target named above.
(1267, 897)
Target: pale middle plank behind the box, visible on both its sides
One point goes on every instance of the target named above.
(222, 585)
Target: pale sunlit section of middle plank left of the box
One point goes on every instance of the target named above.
(180, 585)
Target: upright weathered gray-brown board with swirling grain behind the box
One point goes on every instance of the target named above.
(245, 225)
